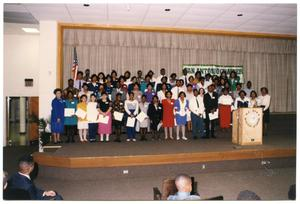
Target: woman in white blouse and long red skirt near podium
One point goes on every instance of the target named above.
(225, 102)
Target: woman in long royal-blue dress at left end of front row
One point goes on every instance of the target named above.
(57, 116)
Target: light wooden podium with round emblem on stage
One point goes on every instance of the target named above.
(247, 126)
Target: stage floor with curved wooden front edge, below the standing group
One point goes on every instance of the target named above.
(280, 142)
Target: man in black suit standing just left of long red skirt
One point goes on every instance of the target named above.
(211, 105)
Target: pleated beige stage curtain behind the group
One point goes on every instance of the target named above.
(267, 62)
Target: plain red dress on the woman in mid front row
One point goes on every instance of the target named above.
(168, 113)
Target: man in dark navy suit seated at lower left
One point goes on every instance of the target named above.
(22, 180)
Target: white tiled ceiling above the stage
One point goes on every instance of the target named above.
(262, 18)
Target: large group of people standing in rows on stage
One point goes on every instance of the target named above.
(190, 101)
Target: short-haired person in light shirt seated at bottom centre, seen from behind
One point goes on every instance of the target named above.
(184, 186)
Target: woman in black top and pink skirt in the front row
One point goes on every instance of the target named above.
(104, 108)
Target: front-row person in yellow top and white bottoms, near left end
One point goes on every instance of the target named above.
(82, 124)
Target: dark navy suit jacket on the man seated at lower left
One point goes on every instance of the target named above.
(18, 181)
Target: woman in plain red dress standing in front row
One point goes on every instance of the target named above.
(168, 114)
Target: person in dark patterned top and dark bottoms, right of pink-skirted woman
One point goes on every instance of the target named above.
(118, 108)
